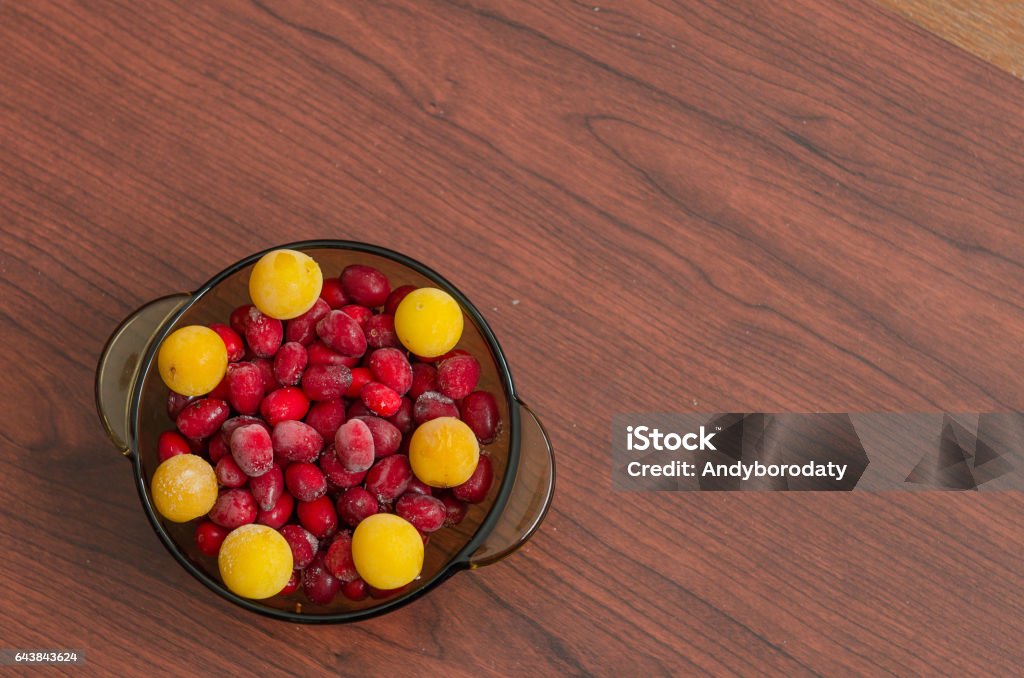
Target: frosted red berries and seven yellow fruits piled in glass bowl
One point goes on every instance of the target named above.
(324, 433)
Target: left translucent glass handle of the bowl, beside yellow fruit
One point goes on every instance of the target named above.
(120, 363)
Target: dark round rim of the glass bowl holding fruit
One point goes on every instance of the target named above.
(461, 561)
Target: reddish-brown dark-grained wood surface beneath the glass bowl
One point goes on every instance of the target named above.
(799, 205)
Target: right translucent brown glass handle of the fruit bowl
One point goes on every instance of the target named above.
(531, 497)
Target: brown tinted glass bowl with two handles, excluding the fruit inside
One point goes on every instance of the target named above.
(132, 403)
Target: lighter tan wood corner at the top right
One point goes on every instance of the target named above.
(992, 29)
